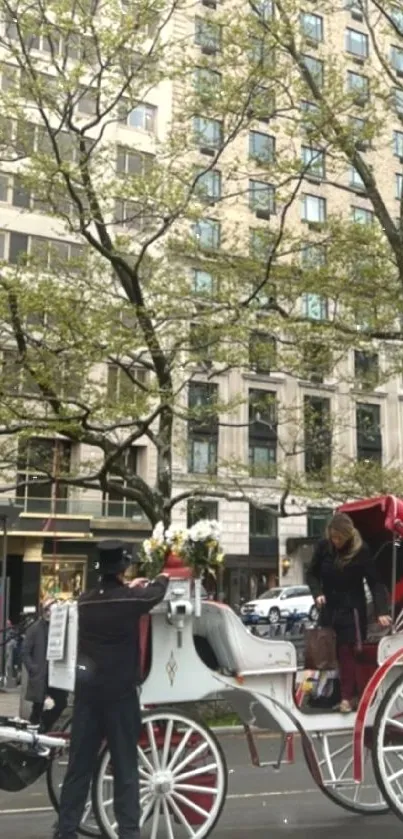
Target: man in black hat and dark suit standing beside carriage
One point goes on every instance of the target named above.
(106, 700)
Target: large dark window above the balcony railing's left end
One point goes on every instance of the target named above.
(40, 463)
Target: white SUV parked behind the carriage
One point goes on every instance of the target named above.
(278, 603)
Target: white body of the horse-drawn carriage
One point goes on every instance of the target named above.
(258, 673)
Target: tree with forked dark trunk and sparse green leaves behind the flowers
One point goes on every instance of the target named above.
(152, 250)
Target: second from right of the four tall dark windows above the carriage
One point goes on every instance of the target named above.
(317, 434)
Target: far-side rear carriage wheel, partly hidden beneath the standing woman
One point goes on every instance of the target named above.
(335, 755)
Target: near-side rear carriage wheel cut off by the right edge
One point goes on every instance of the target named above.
(387, 751)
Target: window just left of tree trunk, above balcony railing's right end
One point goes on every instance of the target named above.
(115, 504)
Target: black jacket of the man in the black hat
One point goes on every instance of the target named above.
(108, 637)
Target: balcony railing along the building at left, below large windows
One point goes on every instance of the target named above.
(87, 507)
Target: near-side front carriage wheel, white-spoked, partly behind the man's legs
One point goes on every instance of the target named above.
(183, 779)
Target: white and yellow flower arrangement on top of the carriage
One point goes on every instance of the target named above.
(197, 547)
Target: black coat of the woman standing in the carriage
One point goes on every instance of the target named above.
(343, 588)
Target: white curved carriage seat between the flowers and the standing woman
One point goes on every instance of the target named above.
(237, 651)
